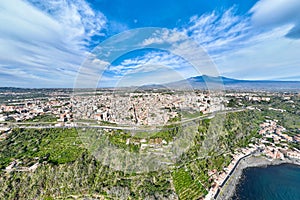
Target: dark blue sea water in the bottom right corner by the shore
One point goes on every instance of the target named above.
(278, 182)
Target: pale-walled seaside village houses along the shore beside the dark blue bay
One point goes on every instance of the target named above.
(273, 144)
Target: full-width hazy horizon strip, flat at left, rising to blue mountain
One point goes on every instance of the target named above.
(198, 82)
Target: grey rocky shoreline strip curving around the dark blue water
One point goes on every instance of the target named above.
(229, 187)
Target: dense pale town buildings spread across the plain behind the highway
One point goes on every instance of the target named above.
(124, 108)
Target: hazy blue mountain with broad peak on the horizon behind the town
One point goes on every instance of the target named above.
(204, 82)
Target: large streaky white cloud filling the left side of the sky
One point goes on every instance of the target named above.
(46, 40)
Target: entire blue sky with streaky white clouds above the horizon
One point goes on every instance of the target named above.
(62, 43)
